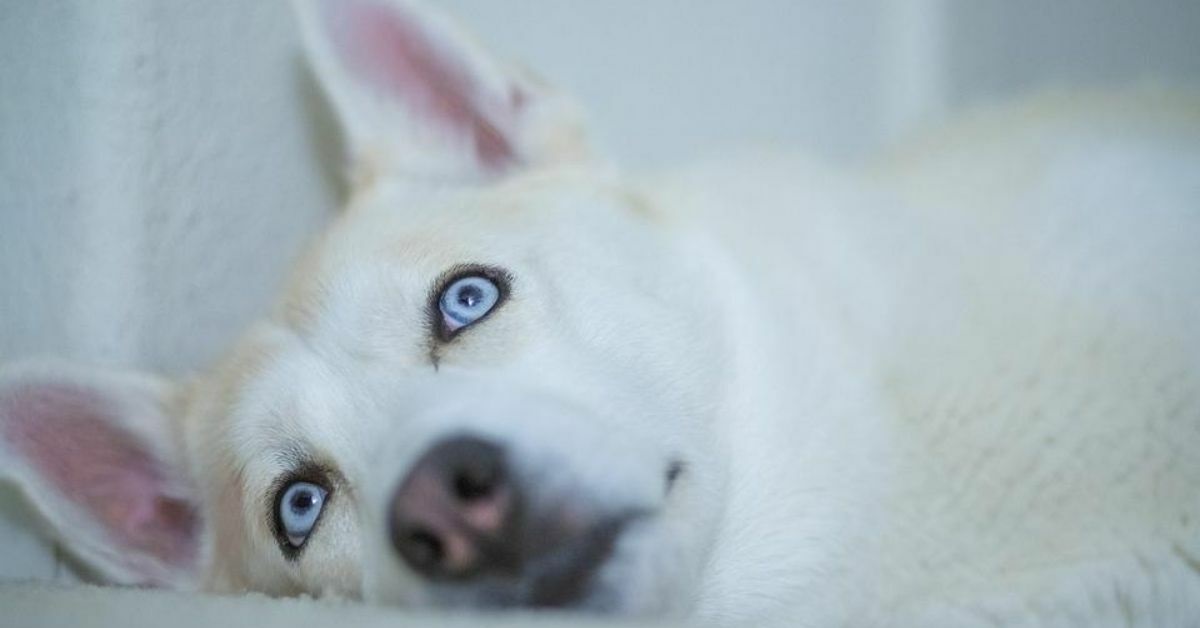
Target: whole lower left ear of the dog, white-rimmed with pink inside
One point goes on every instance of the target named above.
(98, 456)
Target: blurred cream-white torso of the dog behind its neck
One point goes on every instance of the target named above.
(1047, 380)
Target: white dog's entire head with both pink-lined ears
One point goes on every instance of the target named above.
(493, 382)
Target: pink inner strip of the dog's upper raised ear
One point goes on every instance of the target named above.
(391, 51)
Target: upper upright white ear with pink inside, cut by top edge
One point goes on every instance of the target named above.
(417, 97)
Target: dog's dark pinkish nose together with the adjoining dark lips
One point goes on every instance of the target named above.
(461, 516)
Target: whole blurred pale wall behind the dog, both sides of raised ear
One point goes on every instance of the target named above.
(161, 163)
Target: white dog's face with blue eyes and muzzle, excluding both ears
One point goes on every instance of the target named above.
(494, 405)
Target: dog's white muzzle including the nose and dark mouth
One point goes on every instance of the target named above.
(533, 504)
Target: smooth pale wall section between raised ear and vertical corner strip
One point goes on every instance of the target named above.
(670, 79)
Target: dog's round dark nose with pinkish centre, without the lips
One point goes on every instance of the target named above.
(455, 513)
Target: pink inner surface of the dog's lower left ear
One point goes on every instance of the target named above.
(70, 438)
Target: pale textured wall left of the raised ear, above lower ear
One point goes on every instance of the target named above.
(158, 169)
